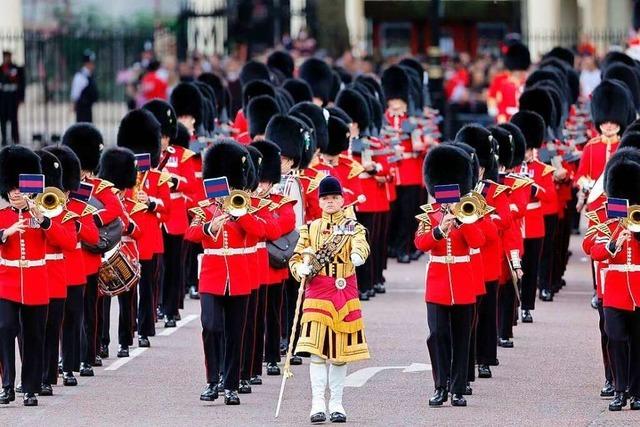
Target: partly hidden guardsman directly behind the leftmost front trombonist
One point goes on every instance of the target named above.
(57, 267)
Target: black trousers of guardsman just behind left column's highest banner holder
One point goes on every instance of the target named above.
(173, 274)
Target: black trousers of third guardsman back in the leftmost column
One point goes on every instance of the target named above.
(72, 328)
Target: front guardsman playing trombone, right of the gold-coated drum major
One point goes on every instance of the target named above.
(449, 297)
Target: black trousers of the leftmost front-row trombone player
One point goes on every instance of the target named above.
(28, 324)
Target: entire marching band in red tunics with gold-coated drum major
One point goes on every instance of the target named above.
(281, 221)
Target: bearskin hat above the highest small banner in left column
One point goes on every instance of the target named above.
(140, 132)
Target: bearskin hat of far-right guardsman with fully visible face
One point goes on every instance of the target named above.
(611, 102)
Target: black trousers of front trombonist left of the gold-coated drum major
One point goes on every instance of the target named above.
(223, 320)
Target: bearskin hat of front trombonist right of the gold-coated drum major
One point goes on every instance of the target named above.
(447, 164)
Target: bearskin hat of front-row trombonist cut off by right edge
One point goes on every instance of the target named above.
(622, 175)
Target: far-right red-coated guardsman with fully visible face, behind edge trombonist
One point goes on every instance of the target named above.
(611, 110)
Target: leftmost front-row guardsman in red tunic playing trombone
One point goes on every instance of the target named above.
(24, 235)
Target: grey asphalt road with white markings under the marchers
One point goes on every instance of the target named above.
(551, 377)
